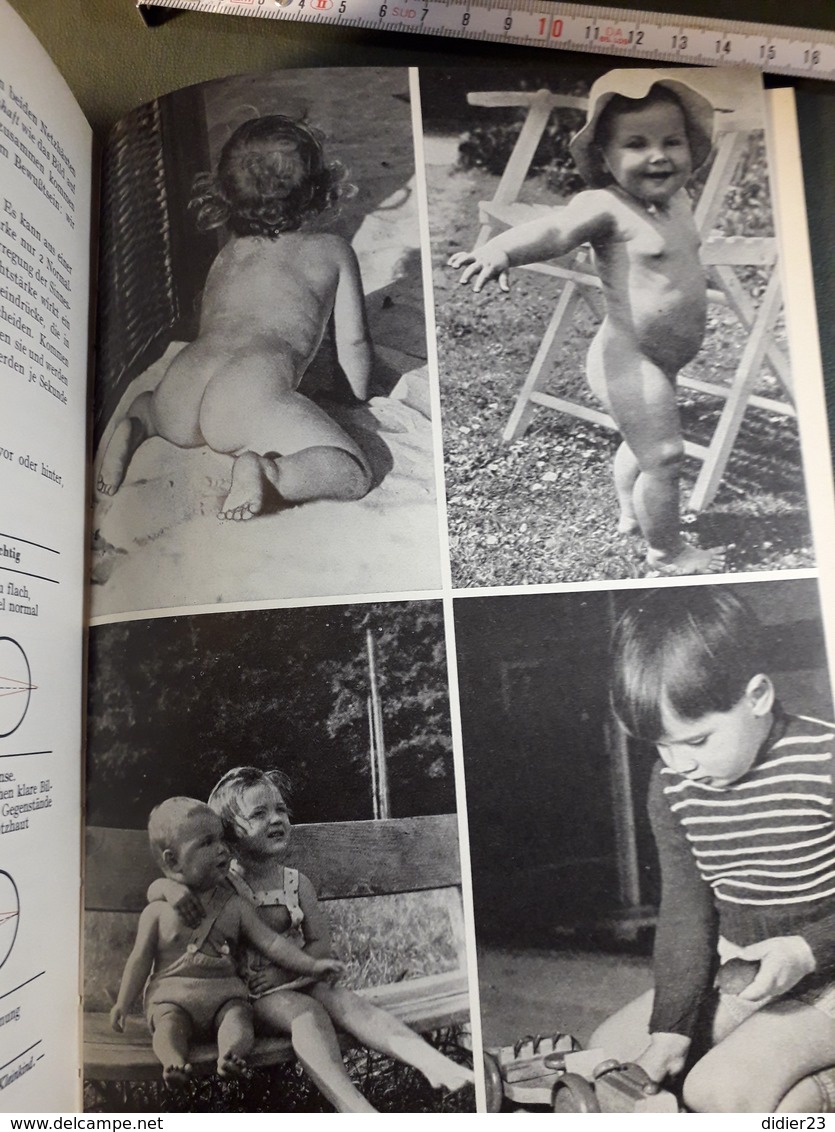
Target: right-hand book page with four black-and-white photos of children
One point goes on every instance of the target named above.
(623, 438)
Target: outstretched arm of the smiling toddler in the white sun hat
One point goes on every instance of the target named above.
(589, 218)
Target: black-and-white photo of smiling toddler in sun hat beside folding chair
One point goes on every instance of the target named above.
(616, 384)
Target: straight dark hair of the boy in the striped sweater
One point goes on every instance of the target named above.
(693, 649)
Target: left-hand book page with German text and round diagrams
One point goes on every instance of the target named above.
(46, 161)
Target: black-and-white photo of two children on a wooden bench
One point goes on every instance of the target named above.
(274, 915)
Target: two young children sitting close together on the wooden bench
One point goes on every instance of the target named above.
(283, 971)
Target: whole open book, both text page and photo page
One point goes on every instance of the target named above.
(286, 495)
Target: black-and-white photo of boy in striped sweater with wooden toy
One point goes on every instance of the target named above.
(650, 801)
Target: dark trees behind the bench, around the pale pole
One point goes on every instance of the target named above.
(176, 702)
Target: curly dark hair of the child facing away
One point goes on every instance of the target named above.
(272, 176)
